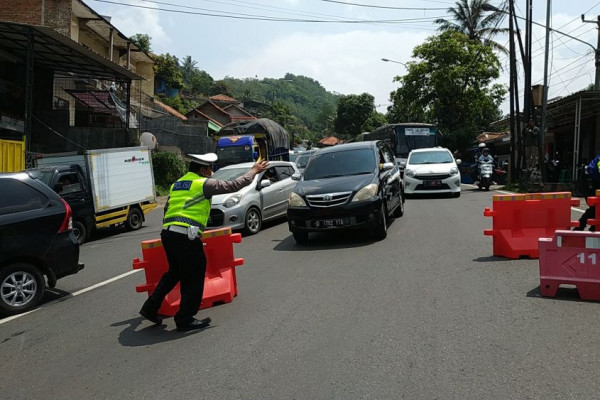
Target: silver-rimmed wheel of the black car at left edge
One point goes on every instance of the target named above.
(21, 288)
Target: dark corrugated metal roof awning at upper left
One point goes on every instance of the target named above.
(54, 51)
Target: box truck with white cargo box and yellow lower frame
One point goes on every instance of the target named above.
(104, 187)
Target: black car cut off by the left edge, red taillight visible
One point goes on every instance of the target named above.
(37, 245)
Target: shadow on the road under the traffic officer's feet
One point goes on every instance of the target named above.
(131, 336)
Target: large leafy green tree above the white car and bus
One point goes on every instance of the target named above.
(452, 87)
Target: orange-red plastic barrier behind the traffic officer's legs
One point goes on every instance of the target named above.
(220, 282)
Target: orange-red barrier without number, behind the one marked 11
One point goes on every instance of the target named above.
(520, 220)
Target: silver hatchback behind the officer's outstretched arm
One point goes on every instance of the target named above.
(264, 199)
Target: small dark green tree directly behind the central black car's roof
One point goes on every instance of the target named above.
(352, 113)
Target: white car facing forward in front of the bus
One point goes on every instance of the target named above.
(431, 170)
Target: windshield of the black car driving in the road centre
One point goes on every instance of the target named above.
(340, 163)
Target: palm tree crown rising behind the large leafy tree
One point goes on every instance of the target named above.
(469, 17)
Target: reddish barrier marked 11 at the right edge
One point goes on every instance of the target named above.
(571, 258)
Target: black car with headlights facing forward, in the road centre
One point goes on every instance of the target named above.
(348, 186)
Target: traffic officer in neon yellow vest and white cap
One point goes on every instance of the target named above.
(186, 213)
